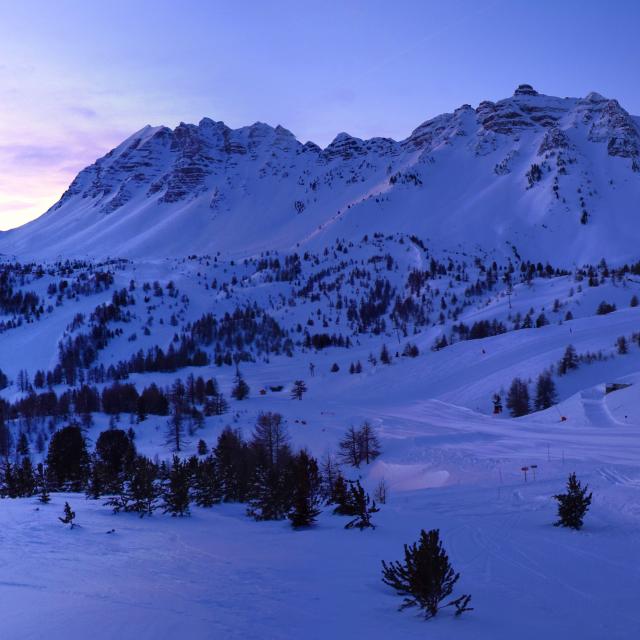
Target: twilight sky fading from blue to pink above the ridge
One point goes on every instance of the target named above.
(77, 77)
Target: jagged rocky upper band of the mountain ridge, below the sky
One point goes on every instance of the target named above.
(168, 166)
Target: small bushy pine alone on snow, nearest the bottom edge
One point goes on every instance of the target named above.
(426, 576)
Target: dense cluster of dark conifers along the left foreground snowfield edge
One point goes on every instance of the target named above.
(264, 472)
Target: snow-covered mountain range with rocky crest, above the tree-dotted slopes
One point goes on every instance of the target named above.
(532, 175)
